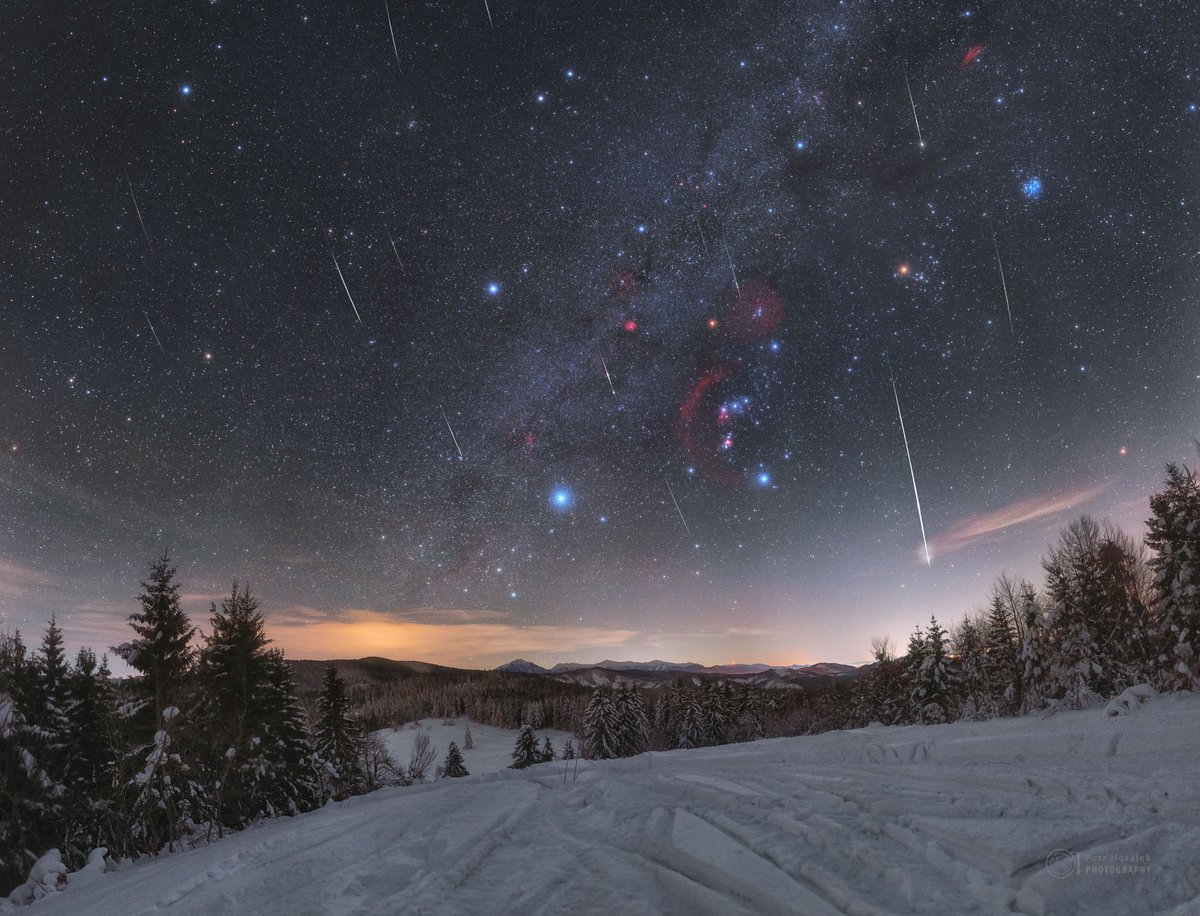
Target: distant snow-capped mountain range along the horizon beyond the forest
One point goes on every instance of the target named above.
(658, 673)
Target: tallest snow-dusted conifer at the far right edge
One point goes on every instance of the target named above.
(1175, 541)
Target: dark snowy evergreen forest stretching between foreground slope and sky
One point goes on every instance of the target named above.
(213, 734)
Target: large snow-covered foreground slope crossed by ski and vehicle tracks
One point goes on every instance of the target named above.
(1078, 813)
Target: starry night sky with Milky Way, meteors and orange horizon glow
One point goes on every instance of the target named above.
(471, 331)
